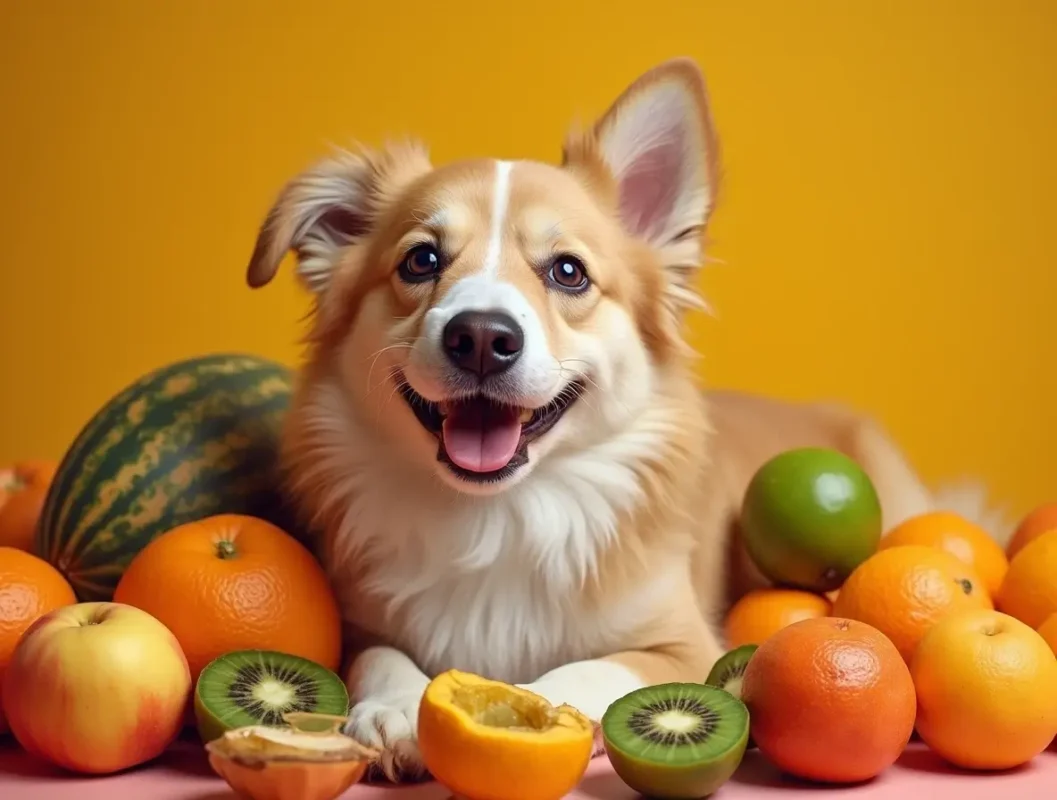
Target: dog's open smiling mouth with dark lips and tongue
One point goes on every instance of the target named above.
(483, 440)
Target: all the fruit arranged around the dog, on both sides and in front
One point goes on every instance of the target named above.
(153, 580)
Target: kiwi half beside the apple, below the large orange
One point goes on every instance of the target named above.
(258, 687)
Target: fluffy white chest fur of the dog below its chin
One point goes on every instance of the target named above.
(494, 586)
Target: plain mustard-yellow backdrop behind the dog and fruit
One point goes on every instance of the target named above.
(887, 227)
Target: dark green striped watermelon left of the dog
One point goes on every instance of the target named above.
(189, 441)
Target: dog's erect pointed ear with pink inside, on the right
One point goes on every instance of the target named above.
(658, 148)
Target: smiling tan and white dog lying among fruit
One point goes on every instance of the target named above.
(498, 433)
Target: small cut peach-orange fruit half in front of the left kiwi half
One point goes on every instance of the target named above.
(309, 760)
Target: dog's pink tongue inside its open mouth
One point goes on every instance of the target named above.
(481, 437)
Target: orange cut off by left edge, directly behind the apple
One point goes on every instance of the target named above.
(30, 588)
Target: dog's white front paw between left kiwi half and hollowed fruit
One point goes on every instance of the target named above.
(390, 725)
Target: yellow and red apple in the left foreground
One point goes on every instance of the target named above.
(97, 687)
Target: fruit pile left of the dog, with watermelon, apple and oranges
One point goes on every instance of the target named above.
(151, 581)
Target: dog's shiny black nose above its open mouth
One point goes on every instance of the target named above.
(484, 342)
